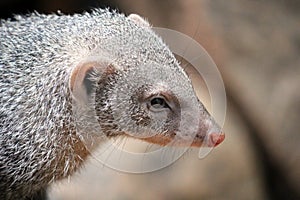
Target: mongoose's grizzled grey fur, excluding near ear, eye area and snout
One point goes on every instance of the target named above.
(39, 141)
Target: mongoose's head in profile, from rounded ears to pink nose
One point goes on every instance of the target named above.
(140, 90)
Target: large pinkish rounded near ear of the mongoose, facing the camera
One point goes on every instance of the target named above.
(81, 82)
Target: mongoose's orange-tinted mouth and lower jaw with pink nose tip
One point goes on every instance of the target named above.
(212, 140)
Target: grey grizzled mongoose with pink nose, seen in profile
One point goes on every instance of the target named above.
(66, 82)
